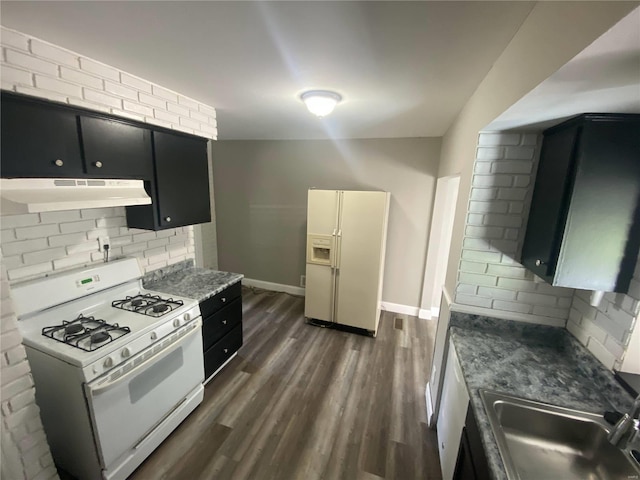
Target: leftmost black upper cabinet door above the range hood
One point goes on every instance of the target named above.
(39, 141)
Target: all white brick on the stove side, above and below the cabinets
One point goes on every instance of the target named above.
(34, 245)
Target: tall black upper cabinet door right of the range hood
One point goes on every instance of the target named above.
(182, 180)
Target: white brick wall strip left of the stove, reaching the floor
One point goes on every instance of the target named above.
(25, 451)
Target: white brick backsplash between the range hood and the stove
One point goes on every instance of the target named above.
(36, 244)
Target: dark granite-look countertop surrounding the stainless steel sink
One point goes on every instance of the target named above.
(536, 362)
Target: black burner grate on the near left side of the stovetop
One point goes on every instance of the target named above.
(85, 333)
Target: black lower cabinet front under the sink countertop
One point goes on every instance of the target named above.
(472, 461)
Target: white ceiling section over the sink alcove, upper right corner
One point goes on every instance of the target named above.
(604, 77)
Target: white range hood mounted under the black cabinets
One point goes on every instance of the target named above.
(32, 195)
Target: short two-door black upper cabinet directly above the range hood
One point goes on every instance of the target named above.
(45, 139)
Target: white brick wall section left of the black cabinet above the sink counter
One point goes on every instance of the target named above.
(490, 277)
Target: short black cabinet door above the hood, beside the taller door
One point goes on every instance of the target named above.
(114, 149)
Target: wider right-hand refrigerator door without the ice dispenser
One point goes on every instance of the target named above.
(360, 262)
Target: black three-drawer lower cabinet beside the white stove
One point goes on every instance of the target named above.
(221, 327)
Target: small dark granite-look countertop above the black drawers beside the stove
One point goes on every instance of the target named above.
(186, 280)
